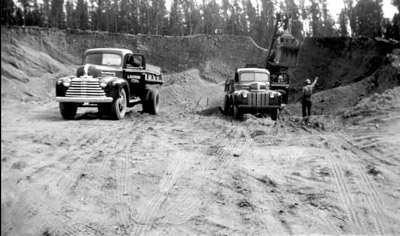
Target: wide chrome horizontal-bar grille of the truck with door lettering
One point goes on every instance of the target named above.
(85, 88)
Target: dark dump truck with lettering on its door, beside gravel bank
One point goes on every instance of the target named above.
(111, 79)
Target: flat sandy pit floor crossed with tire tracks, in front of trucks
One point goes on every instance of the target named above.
(183, 173)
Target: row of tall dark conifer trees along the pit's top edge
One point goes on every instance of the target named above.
(189, 17)
